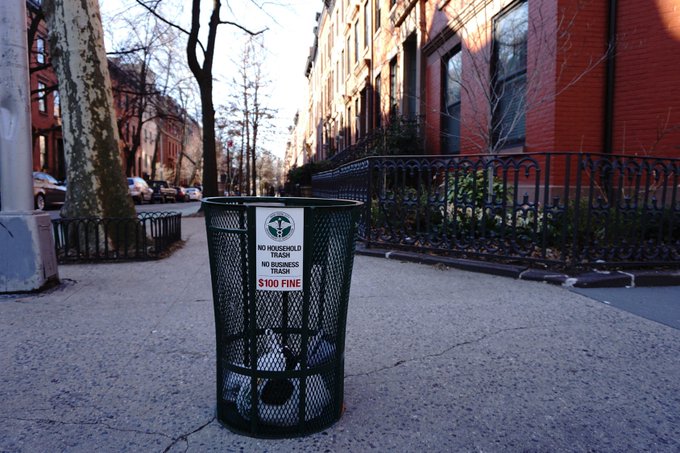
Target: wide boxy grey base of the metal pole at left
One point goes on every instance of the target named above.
(26, 244)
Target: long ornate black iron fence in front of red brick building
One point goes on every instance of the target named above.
(565, 210)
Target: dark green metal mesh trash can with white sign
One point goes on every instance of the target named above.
(281, 271)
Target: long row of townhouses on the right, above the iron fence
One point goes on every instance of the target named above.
(503, 76)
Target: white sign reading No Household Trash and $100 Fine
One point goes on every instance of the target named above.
(279, 248)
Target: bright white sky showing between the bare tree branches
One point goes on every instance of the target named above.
(289, 34)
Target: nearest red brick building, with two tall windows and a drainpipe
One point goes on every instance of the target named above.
(594, 76)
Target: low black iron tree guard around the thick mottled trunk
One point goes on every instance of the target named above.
(146, 237)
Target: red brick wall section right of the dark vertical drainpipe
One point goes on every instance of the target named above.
(647, 101)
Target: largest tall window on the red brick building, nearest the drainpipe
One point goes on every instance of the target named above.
(509, 76)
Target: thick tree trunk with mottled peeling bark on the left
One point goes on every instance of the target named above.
(96, 181)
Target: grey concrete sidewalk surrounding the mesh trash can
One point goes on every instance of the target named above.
(121, 357)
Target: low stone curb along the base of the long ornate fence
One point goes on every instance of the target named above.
(590, 279)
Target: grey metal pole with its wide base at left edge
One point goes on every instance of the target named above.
(28, 260)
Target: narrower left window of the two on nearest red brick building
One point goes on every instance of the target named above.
(451, 112)
